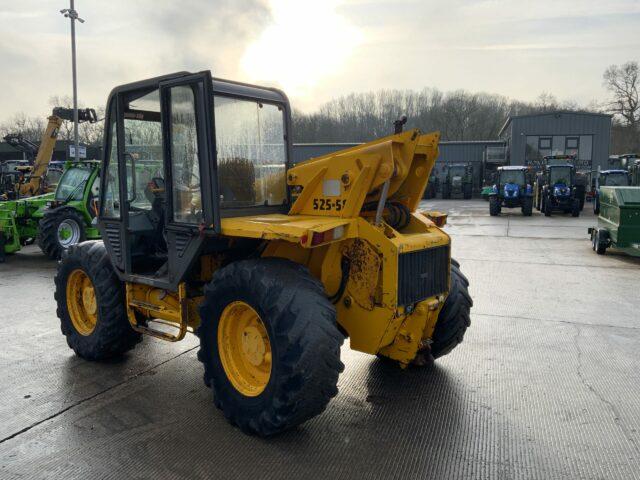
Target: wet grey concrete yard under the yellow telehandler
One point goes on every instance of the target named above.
(546, 384)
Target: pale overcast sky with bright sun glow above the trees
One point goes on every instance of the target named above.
(316, 49)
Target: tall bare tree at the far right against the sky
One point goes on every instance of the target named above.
(622, 83)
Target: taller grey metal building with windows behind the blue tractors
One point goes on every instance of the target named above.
(531, 137)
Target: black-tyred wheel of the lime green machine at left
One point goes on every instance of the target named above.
(60, 229)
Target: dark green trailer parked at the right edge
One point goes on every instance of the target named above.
(619, 221)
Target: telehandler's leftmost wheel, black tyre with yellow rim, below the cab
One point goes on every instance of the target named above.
(91, 304)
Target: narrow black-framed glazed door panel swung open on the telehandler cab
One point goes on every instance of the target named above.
(189, 152)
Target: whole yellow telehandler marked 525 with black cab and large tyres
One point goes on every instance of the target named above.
(271, 268)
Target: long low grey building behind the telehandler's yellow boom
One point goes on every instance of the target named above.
(474, 152)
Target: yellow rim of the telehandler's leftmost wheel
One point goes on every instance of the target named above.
(81, 302)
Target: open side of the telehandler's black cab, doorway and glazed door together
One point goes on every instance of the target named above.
(158, 183)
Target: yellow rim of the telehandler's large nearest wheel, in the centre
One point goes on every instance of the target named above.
(244, 348)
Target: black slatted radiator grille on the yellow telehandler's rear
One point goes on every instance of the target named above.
(422, 274)
